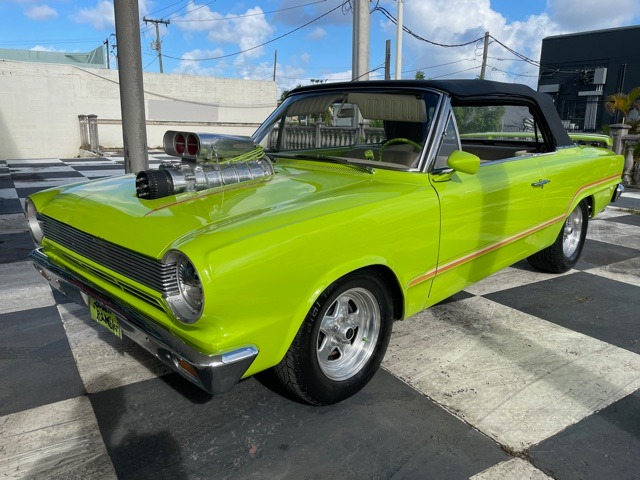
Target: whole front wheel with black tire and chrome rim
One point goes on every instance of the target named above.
(341, 342)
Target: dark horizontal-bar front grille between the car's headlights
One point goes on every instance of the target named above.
(142, 269)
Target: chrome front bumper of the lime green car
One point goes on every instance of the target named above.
(214, 374)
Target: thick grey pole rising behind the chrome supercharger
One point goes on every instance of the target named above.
(134, 129)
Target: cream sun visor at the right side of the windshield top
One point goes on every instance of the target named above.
(404, 108)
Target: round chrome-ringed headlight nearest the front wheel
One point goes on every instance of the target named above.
(186, 304)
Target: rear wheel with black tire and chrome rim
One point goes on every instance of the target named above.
(565, 252)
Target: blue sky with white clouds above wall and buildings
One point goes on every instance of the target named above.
(205, 37)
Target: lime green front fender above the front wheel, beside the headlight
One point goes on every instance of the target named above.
(259, 290)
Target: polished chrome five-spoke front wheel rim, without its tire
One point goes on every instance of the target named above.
(348, 334)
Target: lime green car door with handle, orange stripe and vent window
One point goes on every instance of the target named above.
(486, 217)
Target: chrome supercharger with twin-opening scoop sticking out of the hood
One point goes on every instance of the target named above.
(208, 161)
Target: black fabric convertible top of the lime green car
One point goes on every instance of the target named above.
(465, 91)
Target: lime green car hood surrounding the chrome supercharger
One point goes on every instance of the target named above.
(109, 209)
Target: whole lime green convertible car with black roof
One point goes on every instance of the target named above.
(353, 205)
